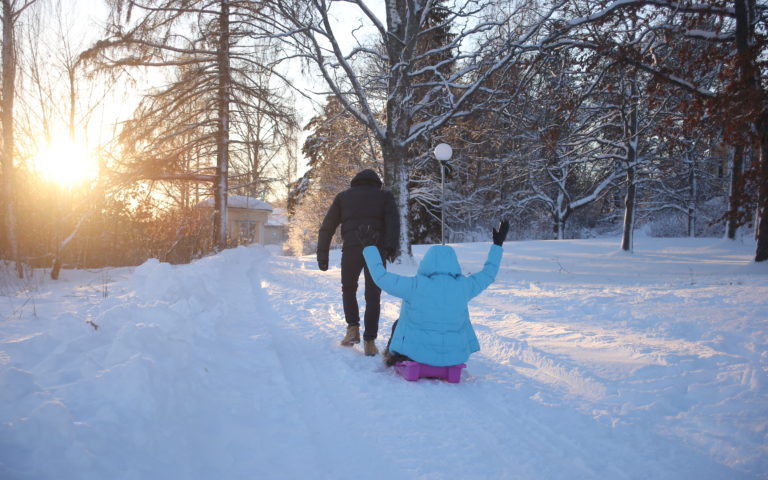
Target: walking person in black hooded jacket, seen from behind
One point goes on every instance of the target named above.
(364, 203)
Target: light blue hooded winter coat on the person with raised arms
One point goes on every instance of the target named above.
(434, 326)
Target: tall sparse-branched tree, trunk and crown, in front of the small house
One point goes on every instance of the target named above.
(212, 46)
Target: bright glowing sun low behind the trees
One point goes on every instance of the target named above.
(66, 162)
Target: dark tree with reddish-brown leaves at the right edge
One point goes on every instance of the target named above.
(738, 97)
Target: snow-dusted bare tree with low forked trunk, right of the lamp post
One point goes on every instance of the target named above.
(572, 152)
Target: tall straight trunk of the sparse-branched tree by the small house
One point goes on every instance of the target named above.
(222, 133)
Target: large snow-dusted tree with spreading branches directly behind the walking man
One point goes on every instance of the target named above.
(413, 80)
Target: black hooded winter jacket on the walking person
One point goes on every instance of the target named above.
(364, 203)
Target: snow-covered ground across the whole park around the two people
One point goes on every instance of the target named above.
(595, 364)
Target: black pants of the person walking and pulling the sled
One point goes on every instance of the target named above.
(352, 263)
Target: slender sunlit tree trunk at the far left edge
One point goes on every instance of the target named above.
(9, 175)
